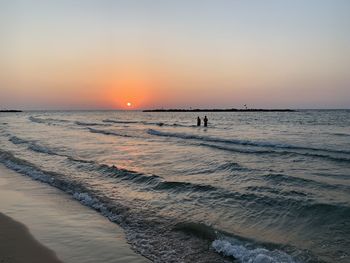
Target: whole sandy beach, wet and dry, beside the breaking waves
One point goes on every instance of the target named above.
(39, 223)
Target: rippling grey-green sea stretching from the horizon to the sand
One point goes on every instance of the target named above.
(253, 187)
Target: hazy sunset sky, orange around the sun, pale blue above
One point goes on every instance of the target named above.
(103, 54)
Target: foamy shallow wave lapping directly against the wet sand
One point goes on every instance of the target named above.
(151, 239)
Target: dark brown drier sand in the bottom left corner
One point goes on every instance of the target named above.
(18, 245)
